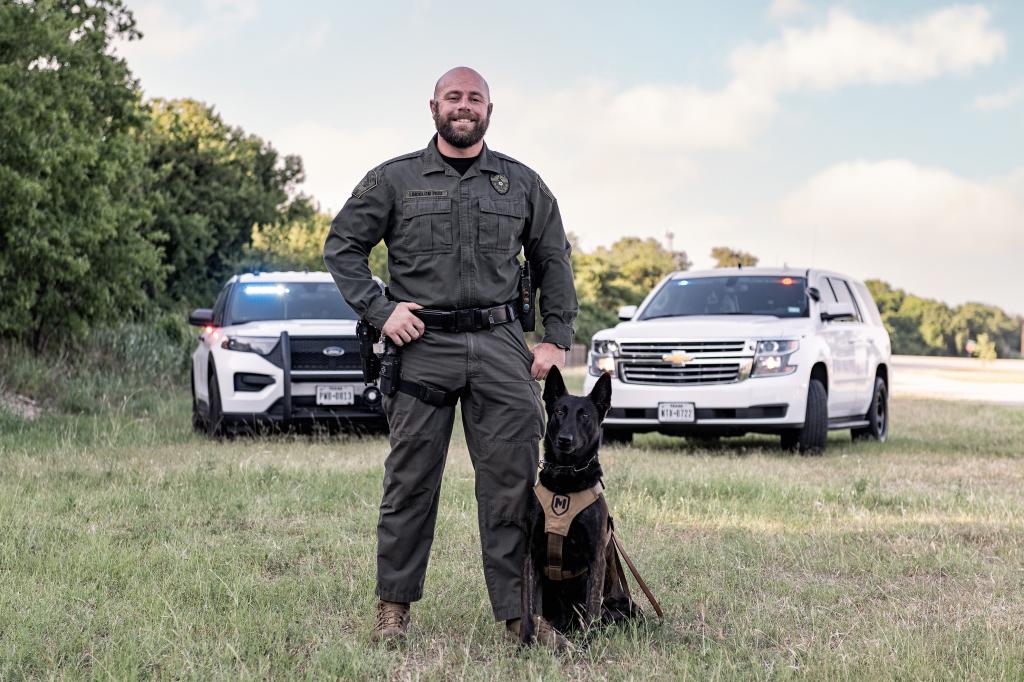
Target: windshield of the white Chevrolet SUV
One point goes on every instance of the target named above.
(778, 296)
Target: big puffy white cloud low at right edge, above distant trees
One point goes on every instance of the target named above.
(924, 230)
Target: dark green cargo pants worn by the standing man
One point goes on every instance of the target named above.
(503, 418)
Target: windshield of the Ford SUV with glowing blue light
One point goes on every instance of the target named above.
(287, 301)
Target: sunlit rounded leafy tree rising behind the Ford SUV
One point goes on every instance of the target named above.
(212, 185)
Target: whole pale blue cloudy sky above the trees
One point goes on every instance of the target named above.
(881, 140)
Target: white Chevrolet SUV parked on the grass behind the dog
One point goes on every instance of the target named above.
(735, 351)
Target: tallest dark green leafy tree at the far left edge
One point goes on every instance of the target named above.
(72, 173)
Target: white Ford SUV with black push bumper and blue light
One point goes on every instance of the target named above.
(280, 349)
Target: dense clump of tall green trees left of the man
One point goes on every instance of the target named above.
(113, 206)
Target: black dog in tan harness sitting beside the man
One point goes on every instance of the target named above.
(568, 573)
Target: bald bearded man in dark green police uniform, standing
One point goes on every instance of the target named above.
(455, 217)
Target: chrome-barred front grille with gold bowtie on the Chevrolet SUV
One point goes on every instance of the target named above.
(713, 363)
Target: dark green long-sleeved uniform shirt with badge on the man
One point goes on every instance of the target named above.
(453, 241)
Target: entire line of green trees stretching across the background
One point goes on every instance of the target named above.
(115, 207)
